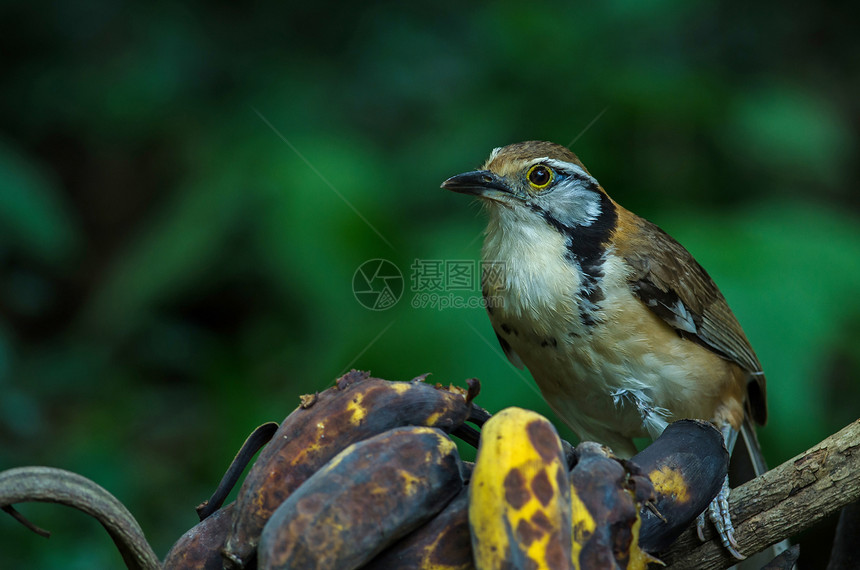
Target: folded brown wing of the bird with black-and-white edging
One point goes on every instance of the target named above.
(680, 291)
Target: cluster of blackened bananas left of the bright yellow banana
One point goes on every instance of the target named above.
(349, 473)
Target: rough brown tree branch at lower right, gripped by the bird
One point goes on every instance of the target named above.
(782, 502)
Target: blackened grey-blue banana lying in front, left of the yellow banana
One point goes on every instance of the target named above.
(363, 500)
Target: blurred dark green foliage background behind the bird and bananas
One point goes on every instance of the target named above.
(187, 190)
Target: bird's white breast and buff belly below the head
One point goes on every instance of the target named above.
(607, 364)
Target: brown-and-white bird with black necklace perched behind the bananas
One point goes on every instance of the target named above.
(621, 328)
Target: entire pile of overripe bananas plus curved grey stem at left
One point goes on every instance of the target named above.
(366, 475)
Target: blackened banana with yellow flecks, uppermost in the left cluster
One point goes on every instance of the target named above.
(356, 408)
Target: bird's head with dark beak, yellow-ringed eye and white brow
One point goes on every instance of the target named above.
(535, 180)
